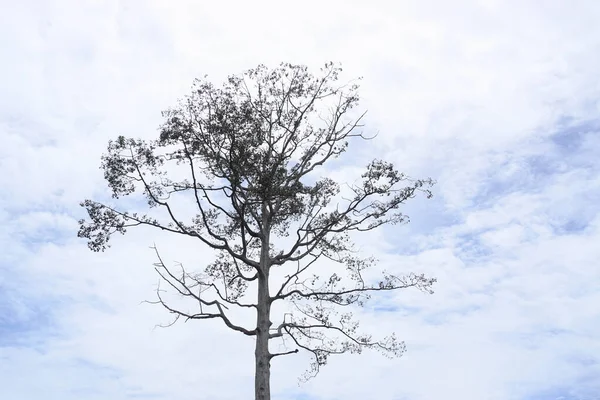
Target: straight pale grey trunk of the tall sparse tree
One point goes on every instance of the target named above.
(262, 377)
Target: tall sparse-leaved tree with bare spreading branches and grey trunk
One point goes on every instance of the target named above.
(252, 149)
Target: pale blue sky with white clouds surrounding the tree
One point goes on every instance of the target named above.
(499, 101)
